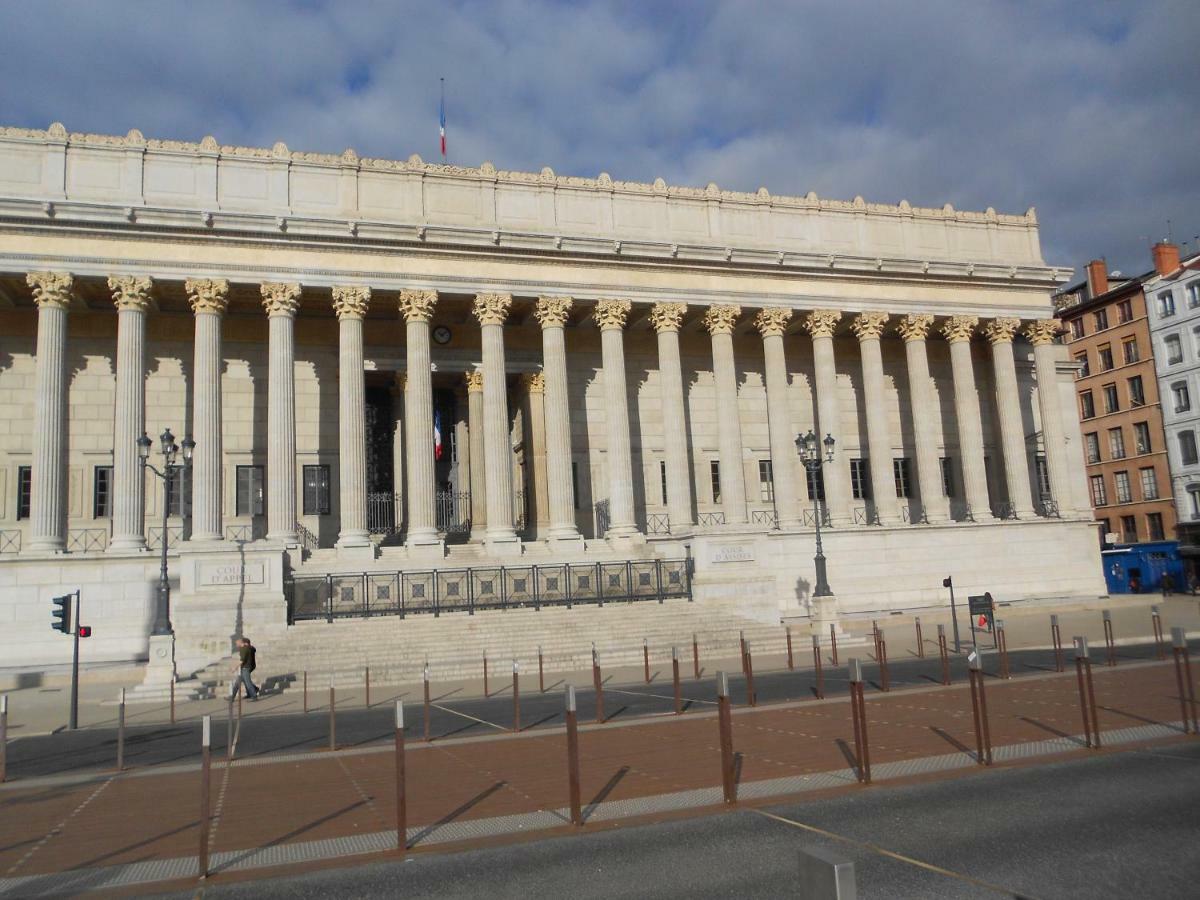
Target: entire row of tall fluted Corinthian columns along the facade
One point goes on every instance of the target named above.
(491, 473)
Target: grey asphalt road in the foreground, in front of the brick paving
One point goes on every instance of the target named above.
(1118, 825)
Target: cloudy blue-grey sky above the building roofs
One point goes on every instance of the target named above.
(1084, 110)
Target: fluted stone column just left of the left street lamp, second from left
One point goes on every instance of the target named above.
(133, 298)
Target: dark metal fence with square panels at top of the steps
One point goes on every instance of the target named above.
(410, 593)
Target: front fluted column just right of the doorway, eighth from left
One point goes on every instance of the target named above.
(553, 314)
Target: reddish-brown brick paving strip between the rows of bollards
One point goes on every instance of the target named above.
(319, 796)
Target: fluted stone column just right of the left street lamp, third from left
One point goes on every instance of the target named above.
(209, 299)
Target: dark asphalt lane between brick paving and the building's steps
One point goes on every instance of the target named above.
(95, 749)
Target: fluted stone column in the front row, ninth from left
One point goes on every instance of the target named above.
(611, 316)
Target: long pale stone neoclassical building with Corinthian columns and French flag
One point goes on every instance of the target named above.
(400, 367)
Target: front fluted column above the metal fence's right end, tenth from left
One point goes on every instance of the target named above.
(667, 320)
